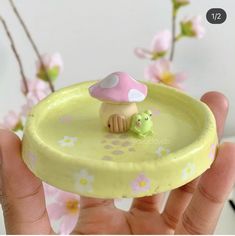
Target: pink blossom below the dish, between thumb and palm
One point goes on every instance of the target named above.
(66, 208)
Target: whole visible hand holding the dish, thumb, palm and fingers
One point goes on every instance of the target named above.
(191, 209)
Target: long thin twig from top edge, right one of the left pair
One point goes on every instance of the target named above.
(32, 43)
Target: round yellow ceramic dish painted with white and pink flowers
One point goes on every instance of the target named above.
(66, 145)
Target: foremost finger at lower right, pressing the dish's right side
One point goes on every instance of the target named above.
(214, 187)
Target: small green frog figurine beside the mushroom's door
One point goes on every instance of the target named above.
(142, 124)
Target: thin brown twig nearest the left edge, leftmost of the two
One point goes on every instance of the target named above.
(16, 54)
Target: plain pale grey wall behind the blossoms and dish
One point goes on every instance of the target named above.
(96, 38)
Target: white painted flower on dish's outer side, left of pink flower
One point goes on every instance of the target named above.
(84, 181)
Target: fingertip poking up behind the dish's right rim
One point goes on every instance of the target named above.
(219, 105)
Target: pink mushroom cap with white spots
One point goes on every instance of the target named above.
(119, 87)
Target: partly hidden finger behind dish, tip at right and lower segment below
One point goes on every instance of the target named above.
(182, 196)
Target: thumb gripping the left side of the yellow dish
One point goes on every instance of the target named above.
(22, 193)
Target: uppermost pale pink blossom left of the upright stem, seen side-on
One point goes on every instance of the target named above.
(159, 46)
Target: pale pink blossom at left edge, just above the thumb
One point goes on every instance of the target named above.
(12, 121)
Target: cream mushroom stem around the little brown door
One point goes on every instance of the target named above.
(124, 110)
